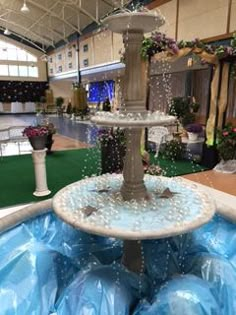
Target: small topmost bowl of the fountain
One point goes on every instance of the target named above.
(137, 21)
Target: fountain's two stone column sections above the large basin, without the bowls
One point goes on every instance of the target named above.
(134, 95)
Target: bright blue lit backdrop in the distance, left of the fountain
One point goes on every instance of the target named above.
(99, 91)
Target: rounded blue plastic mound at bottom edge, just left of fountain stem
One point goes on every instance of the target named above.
(105, 290)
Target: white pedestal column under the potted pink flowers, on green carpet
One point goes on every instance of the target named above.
(40, 173)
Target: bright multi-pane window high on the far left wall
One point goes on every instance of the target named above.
(17, 62)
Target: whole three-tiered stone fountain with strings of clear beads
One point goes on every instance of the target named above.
(133, 207)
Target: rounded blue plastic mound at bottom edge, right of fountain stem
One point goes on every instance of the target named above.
(185, 295)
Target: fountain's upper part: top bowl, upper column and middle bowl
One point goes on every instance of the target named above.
(133, 113)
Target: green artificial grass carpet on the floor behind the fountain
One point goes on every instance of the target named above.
(17, 182)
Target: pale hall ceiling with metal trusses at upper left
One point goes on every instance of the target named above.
(49, 21)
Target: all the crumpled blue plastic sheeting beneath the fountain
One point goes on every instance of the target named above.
(48, 267)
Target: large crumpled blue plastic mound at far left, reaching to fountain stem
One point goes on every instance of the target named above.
(39, 258)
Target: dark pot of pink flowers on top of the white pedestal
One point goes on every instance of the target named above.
(37, 136)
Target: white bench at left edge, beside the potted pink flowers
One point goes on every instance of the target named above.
(12, 135)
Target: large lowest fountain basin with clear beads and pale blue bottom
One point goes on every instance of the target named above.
(154, 218)
